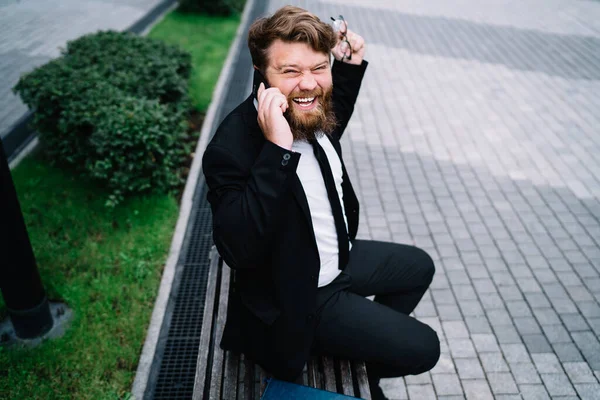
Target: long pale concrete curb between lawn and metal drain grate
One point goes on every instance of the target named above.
(145, 363)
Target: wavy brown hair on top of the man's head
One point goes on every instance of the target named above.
(289, 24)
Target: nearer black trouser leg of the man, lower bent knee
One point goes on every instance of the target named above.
(390, 342)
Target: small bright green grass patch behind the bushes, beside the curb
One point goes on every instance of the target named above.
(208, 40)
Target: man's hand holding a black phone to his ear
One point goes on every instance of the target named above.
(271, 106)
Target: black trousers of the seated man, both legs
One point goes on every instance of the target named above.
(379, 332)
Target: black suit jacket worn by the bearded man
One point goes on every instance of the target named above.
(263, 230)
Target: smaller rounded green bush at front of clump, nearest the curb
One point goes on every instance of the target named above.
(136, 147)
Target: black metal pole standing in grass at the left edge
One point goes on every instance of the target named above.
(20, 280)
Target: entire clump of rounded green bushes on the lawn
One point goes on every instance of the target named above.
(113, 107)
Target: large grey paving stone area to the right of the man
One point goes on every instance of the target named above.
(476, 137)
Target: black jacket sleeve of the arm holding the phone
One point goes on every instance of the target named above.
(246, 200)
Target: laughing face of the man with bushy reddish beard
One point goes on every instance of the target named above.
(303, 75)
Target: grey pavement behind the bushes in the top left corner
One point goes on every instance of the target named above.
(32, 32)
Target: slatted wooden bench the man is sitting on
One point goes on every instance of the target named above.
(226, 375)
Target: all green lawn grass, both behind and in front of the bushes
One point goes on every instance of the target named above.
(106, 265)
